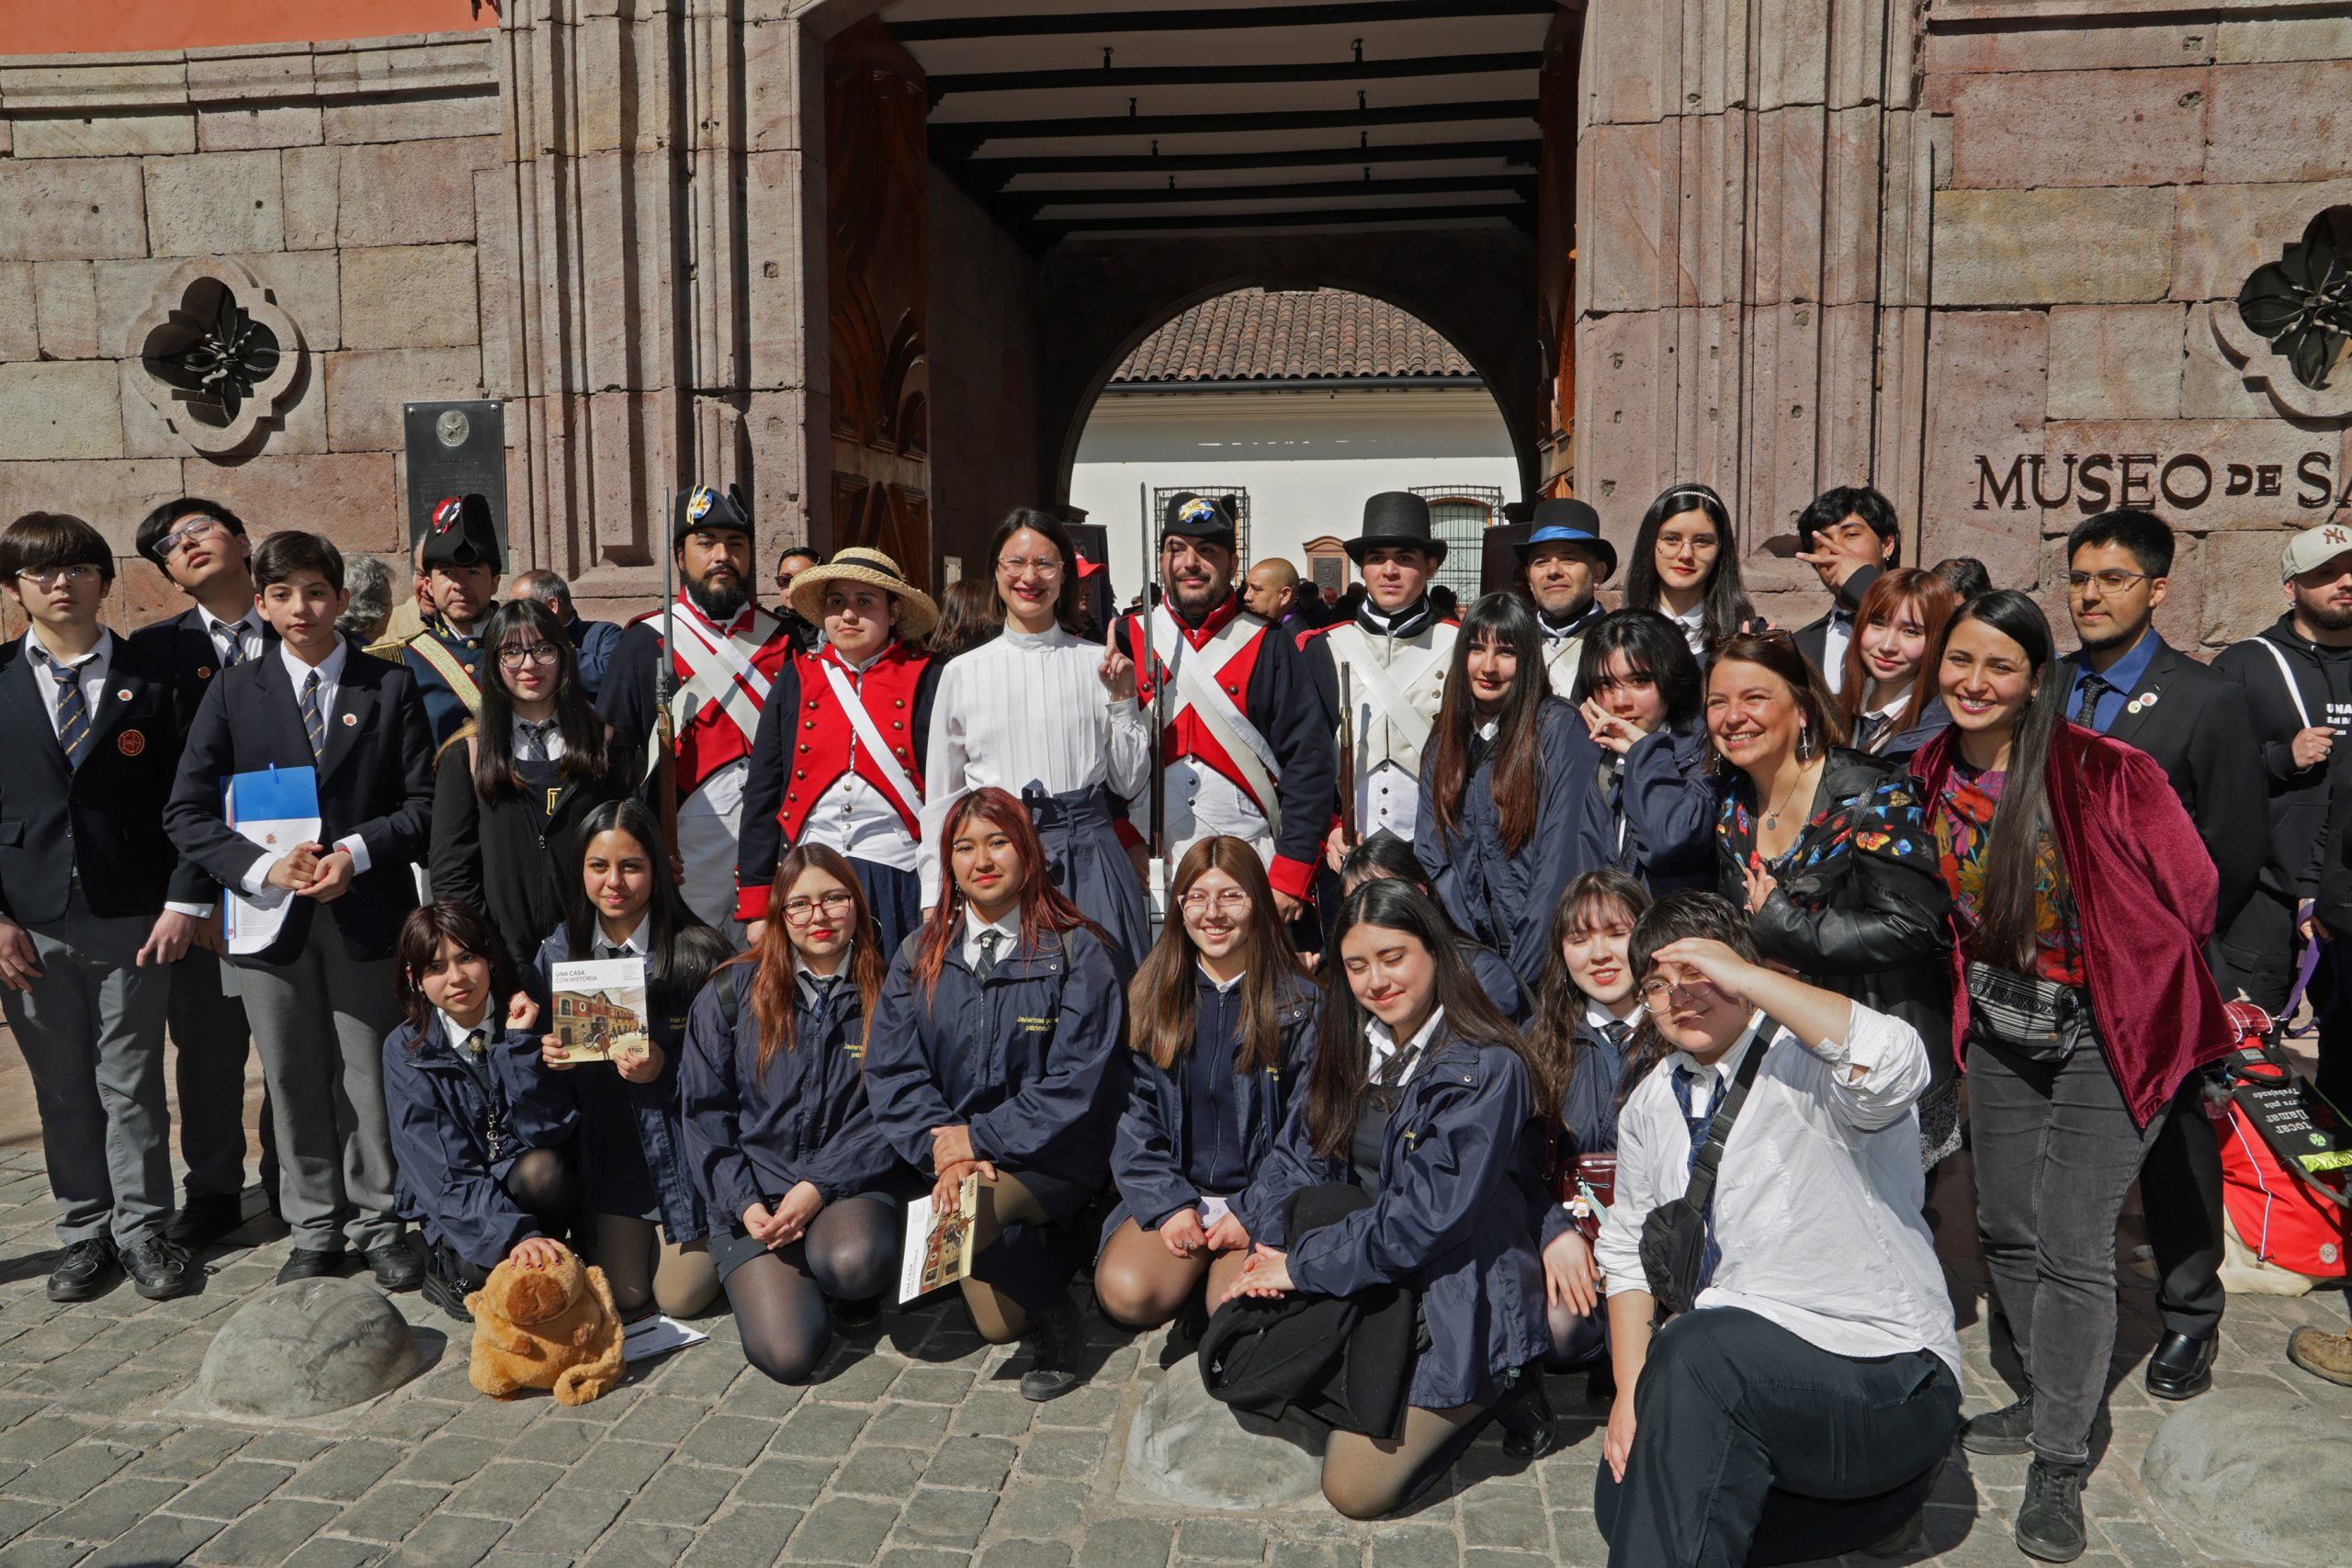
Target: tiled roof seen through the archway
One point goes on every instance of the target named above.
(1290, 337)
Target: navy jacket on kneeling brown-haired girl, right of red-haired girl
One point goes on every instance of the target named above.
(1156, 1130)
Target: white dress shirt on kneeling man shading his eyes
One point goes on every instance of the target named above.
(1817, 1198)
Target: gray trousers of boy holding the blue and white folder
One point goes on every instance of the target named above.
(319, 1026)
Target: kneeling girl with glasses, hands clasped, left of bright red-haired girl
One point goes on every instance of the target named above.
(803, 1188)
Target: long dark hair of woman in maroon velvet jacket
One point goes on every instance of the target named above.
(2005, 923)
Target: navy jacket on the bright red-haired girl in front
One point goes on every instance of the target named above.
(1027, 1061)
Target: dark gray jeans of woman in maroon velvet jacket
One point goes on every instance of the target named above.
(2054, 1158)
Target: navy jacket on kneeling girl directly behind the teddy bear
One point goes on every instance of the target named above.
(441, 1153)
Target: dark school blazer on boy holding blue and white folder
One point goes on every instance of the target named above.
(375, 779)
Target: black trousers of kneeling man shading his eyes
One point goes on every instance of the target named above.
(1756, 1447)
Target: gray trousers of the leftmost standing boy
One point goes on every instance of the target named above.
(91, 1031)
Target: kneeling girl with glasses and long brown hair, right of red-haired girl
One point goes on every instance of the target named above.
(1224, 1031)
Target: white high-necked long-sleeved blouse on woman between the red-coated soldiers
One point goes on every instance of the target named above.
(1029, 709)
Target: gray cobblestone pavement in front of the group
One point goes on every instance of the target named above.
(914, 1452)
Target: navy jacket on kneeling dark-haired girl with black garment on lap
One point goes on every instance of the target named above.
(1455, 1212)
